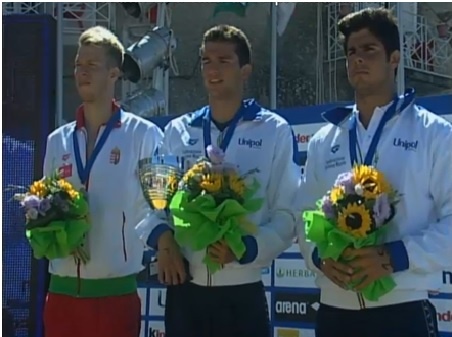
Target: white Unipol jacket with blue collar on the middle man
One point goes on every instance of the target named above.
(261, 140)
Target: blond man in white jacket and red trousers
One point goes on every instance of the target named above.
(100, 151)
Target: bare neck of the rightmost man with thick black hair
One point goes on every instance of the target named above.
(367, 103)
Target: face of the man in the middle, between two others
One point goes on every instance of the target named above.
(221, 71)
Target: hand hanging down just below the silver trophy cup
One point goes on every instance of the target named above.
(171, 269)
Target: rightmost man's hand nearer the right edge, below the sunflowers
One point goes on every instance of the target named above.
(369, 264)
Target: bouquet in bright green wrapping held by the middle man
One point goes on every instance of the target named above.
(212, 203)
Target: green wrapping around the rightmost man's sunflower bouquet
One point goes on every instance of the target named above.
(331, 243)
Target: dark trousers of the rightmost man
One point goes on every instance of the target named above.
(411, 319)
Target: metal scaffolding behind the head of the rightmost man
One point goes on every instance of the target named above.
(423, 48)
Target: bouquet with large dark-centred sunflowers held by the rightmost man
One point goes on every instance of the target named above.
(355, 212)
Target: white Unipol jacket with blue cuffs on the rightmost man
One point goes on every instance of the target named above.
(415, 153)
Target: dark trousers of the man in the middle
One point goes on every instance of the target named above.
(229, 311)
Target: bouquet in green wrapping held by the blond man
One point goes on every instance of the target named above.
(56, 218)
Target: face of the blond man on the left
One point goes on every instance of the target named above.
(94, 77)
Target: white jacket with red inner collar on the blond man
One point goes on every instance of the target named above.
(116, 201)
